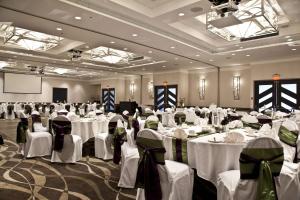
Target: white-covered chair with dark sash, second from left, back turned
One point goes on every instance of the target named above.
(67, 147)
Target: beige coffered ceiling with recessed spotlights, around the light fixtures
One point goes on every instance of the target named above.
(165, 34)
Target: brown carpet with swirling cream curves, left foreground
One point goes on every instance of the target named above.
(38, 178)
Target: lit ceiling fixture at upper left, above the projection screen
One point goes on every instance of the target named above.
(26, 39)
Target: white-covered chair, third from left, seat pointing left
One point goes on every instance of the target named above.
(103, 140)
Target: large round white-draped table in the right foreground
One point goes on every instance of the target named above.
(209, 158)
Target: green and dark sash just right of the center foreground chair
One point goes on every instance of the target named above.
(179, 148)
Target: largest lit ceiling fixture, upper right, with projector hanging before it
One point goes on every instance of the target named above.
(243, 21)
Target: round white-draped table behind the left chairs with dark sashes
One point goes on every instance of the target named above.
(88, 128)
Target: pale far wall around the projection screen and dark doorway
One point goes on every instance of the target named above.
(78, 91)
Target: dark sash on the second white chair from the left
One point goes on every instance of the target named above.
(60, 129)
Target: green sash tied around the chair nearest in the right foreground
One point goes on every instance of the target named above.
(263, 165)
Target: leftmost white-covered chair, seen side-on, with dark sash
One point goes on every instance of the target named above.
(36, 143)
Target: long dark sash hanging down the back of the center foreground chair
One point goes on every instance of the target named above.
(147, 175)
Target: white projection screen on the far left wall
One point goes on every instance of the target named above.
(22, 83)
